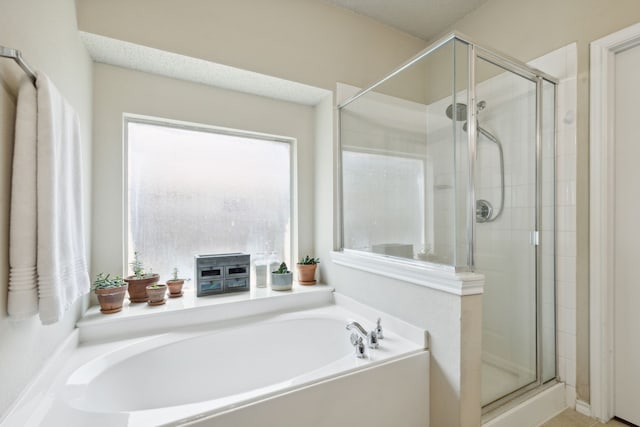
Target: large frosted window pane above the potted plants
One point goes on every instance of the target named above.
(200, 191)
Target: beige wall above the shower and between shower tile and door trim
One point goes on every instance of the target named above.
(528, 29)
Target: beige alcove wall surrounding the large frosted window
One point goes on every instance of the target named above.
(118, 91)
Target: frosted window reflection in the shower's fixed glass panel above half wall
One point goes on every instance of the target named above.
(383, 203)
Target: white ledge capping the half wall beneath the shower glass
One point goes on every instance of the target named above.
(417, 273)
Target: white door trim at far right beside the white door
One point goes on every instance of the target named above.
(601, 194)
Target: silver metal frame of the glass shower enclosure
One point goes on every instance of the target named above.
(538, 77)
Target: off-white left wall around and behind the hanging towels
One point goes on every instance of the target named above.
(45, 31)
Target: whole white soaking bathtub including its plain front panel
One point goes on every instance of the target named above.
(295, 368)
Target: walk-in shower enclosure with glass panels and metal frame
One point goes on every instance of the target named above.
(449, 162)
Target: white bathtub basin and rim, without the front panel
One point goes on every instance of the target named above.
(206, 369)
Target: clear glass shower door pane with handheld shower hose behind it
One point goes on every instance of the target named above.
(506, 222)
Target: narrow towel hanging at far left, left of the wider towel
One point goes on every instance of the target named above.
(23, 293)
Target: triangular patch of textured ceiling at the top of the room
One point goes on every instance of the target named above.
(425, 19)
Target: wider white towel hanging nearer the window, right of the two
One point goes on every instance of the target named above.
(61, 265)
